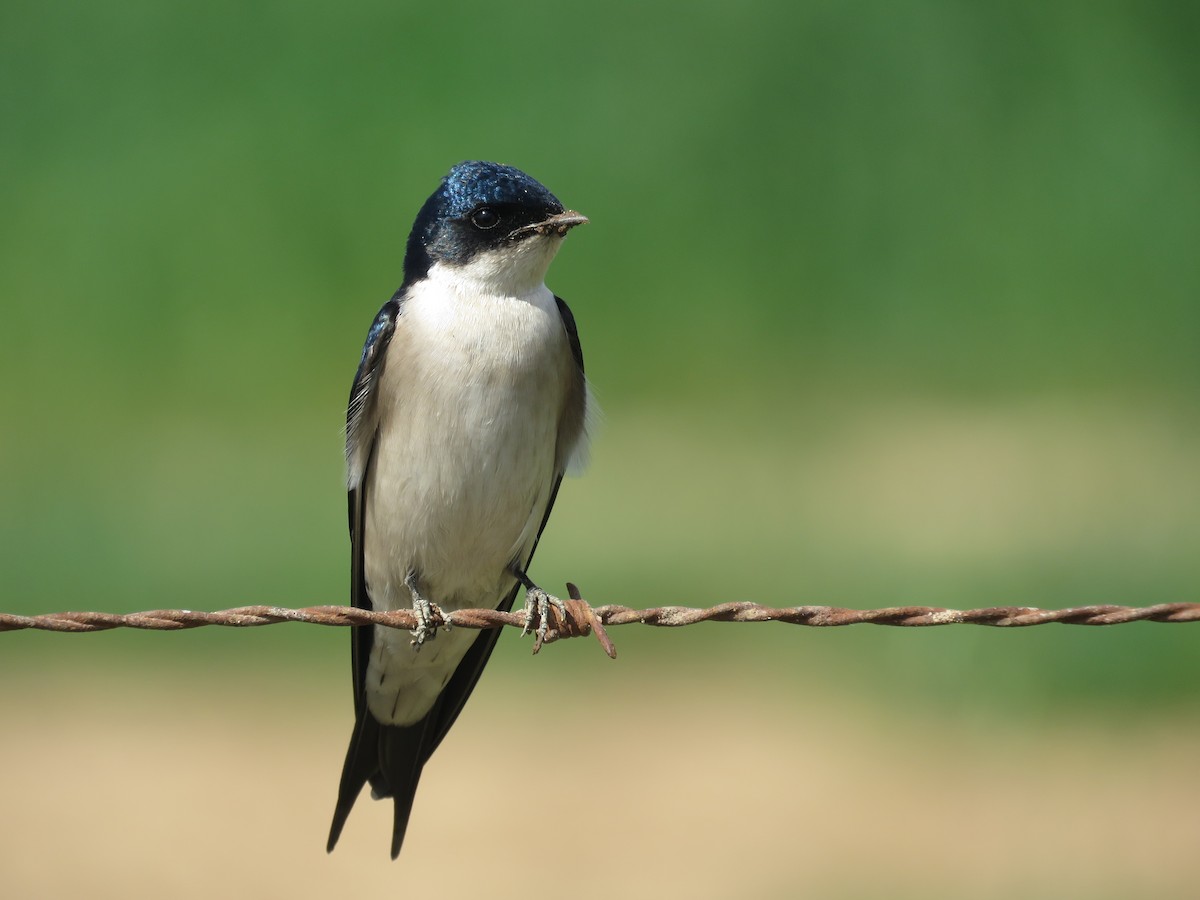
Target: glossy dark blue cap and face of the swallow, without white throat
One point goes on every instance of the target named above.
(483, 207)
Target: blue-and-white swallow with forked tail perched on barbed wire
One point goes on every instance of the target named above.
(469, 406)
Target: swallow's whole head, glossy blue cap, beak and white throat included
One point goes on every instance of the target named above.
(490, 221)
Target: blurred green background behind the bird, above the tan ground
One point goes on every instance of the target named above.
(886, 304)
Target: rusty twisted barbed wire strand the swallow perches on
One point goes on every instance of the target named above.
(583, 619)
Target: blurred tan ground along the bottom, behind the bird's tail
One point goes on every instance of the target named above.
(711, 789)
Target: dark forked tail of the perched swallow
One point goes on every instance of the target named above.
(391, 758)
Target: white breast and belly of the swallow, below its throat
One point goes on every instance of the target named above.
(471, 400)
